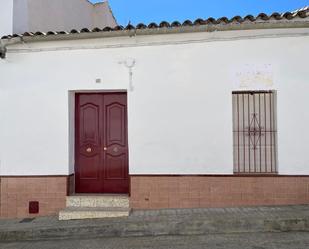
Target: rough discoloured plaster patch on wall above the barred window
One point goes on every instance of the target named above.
(253, 76)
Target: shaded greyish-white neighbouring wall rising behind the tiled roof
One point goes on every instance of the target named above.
(55, 15)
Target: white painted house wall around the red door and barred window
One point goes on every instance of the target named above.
(180, 112)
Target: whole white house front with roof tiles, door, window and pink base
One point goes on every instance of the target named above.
(205, 114)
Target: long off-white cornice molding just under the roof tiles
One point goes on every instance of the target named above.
(20, 45)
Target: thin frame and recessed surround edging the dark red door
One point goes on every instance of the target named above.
(72, 134)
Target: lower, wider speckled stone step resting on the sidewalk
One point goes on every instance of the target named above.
(79, 213)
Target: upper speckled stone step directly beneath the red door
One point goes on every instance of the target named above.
(103, 201)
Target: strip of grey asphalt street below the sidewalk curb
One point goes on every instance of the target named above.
(291, 240)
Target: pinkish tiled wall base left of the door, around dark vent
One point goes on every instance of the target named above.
(17, 192)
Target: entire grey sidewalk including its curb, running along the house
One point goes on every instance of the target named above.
(163, 222)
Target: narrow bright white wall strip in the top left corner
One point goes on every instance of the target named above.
(6, 17)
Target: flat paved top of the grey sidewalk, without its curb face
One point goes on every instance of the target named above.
(262, 212)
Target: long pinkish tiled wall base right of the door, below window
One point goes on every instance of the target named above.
(150, 192)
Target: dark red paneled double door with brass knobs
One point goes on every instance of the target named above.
(101, 144)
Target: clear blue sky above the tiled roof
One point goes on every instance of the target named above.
(147, 11)
